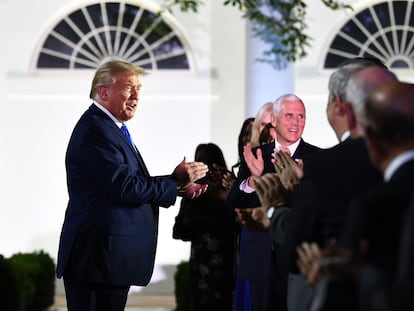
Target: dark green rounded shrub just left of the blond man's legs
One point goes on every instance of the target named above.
(34, 274)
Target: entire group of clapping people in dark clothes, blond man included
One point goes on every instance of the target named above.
(289, 227)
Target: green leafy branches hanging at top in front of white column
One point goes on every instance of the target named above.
(279, 23)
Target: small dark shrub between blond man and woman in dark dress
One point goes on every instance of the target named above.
(182, 286)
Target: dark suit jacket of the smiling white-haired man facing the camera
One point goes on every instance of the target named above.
(255, 256)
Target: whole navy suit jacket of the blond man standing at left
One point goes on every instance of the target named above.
(109, 234)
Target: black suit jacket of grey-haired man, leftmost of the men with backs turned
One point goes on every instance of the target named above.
(332, 178)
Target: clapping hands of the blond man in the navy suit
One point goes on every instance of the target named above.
(186, 174)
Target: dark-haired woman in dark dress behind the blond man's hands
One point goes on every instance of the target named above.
(210, 229)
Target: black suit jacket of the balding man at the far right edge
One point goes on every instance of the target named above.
(378, 217)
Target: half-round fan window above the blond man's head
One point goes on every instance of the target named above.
(87, 36)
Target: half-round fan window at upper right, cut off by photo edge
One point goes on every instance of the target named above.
(384, 30)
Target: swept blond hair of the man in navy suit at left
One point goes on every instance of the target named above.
(105, 74)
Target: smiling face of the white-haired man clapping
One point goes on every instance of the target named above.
(290, 122)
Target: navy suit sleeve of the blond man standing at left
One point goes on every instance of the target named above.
(117, 171)
